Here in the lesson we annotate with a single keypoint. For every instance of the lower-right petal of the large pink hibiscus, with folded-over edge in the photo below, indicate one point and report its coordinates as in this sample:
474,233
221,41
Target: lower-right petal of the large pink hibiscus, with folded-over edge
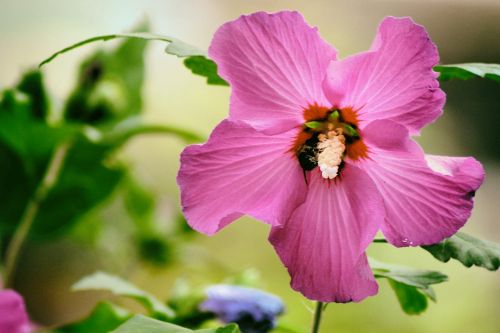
426,198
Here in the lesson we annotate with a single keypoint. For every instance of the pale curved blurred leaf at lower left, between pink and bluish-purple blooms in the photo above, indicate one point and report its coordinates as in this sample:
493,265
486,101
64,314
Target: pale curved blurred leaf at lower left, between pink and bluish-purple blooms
120,287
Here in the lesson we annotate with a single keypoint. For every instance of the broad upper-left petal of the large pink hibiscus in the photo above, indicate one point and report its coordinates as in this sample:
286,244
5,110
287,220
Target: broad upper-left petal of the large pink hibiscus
275,64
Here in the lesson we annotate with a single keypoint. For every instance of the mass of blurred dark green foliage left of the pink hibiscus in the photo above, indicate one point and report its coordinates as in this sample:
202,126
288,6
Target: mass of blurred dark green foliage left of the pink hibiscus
101,114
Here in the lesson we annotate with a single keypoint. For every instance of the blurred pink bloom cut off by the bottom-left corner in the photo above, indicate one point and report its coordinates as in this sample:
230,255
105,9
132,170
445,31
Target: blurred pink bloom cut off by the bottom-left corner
13,316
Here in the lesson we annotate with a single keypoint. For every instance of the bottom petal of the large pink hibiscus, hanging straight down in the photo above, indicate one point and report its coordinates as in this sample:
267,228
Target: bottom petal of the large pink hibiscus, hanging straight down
323,242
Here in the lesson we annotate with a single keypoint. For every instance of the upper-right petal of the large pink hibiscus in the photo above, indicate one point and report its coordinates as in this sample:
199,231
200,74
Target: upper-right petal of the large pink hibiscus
394,80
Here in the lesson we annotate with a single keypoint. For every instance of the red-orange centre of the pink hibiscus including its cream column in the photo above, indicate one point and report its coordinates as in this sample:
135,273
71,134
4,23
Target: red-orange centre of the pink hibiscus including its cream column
327,137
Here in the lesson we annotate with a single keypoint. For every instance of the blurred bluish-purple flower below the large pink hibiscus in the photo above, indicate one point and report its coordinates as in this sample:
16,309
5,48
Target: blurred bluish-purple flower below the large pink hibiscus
253,310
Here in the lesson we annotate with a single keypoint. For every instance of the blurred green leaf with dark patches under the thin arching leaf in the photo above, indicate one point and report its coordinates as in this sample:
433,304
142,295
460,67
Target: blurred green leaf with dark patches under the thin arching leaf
109,84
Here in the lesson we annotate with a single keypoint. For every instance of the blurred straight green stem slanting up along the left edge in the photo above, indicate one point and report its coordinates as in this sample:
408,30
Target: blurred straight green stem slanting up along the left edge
46,184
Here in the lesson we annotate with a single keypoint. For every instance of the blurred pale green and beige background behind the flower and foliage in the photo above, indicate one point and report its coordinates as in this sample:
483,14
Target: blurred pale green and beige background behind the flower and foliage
464,30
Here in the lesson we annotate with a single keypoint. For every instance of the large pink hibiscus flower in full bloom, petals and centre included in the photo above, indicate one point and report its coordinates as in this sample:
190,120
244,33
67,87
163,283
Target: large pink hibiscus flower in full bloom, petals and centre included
320,149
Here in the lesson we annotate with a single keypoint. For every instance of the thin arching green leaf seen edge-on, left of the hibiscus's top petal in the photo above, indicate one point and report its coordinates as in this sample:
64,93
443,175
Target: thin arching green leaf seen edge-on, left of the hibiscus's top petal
175,47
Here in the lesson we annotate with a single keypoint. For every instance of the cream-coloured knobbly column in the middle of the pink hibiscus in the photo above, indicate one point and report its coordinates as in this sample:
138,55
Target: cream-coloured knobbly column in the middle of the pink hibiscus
331,148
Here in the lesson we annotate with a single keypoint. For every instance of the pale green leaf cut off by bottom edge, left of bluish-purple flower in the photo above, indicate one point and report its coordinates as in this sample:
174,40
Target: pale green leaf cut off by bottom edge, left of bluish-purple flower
142,324
